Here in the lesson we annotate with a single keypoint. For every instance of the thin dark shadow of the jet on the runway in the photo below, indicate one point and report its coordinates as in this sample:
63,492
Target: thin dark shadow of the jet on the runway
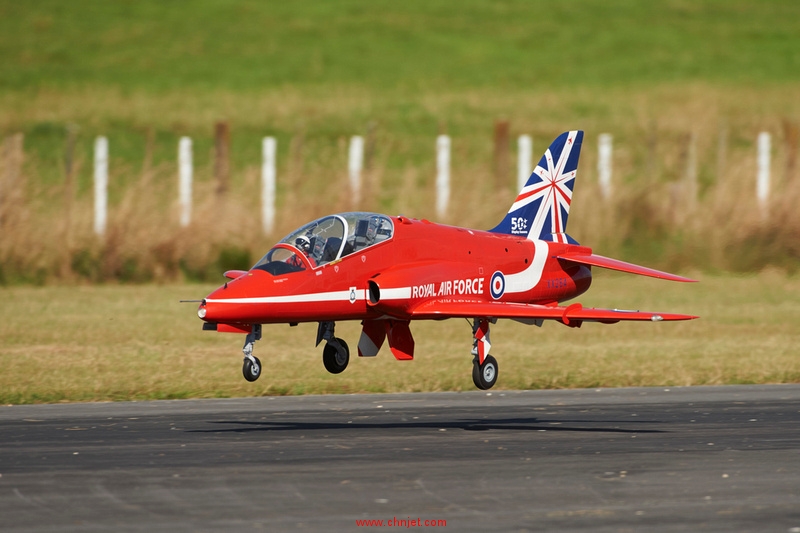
508,424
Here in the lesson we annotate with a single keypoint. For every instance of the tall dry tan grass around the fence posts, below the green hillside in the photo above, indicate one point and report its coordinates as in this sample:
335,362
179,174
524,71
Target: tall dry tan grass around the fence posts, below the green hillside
657,215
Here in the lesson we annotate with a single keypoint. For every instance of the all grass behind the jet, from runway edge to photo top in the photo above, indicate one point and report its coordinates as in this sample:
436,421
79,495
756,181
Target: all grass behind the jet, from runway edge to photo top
667,79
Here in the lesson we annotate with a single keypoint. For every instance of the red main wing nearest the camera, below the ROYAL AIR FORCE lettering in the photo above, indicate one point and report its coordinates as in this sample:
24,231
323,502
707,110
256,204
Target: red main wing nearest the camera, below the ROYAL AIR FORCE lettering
573,314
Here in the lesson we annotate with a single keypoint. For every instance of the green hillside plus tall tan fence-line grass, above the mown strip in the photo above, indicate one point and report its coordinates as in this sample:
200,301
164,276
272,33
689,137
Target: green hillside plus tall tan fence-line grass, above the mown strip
654,74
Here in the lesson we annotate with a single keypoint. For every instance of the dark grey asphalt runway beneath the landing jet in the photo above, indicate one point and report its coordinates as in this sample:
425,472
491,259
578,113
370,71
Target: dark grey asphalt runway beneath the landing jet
677,459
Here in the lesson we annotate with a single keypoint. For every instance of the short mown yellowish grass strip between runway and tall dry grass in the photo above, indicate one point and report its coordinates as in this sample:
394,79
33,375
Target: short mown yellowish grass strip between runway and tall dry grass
137,342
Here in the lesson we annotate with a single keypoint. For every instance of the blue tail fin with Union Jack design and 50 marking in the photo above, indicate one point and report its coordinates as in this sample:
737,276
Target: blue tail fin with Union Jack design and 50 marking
542,206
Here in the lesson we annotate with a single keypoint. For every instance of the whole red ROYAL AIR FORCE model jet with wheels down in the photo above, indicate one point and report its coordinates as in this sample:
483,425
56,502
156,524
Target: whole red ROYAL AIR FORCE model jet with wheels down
387,271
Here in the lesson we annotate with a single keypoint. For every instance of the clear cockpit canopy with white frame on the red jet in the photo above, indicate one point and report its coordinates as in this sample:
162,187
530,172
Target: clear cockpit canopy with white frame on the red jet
326,239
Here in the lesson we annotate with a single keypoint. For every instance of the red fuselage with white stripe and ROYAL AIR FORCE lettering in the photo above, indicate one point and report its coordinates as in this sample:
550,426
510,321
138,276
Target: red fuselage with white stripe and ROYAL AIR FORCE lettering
421,261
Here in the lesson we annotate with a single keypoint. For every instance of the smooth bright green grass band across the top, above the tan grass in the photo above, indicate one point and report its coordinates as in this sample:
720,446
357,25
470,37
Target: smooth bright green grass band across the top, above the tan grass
252,45
